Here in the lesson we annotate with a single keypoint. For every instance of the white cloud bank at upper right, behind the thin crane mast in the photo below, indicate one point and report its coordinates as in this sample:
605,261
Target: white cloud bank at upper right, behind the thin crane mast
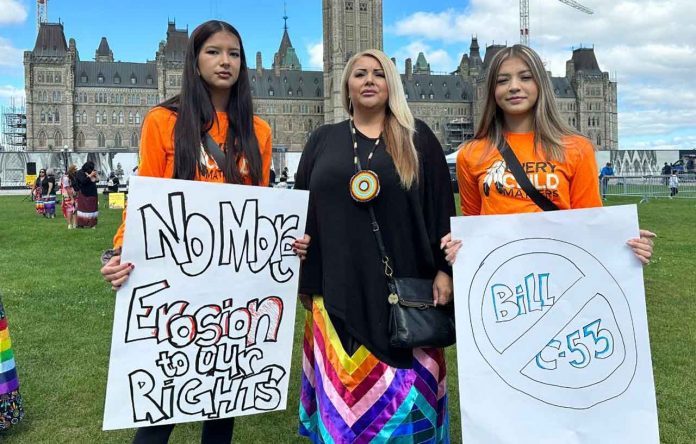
647,45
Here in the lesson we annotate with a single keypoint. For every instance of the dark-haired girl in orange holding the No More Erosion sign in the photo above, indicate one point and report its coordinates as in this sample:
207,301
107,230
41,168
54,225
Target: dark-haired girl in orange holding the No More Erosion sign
215,99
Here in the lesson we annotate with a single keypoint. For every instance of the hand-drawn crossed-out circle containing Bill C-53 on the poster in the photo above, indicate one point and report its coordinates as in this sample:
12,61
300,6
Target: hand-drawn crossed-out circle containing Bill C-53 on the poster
560,342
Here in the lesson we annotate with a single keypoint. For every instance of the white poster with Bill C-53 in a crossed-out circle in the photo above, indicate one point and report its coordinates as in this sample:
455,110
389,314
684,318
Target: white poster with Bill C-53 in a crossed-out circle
552,332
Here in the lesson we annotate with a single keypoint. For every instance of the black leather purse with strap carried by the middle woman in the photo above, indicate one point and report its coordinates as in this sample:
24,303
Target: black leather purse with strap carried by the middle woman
414,320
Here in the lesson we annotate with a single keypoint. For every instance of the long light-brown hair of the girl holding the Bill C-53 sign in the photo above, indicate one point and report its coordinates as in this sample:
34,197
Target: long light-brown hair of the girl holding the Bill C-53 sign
549,127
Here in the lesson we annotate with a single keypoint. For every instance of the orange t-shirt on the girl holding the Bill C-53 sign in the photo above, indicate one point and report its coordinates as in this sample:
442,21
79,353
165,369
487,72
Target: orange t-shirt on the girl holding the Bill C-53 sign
486,185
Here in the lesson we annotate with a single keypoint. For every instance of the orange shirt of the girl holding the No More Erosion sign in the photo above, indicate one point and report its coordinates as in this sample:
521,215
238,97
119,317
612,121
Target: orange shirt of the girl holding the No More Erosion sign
157,151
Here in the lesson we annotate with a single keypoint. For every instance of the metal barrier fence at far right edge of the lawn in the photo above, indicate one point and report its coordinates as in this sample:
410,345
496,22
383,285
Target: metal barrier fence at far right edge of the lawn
649,187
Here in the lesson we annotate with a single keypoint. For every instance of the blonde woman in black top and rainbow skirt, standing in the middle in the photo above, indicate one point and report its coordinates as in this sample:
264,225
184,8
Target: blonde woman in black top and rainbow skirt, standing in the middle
357,386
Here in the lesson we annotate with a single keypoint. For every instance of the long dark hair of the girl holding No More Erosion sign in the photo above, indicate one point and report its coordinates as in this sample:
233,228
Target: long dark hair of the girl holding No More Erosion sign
196,114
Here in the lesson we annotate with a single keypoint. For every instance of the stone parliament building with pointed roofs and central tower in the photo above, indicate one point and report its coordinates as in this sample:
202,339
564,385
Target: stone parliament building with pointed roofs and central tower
97,106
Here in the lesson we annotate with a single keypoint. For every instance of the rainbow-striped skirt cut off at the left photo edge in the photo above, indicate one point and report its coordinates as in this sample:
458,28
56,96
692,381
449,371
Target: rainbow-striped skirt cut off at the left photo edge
11,410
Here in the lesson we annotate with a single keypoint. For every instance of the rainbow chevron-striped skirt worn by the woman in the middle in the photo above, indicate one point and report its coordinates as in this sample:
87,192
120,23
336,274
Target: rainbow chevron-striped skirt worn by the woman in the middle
359,399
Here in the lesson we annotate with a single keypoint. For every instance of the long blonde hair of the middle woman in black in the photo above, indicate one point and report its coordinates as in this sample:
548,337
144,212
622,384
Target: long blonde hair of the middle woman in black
399,124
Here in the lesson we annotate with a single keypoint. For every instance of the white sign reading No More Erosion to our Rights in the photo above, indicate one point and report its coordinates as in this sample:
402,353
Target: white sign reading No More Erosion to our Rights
203,327
